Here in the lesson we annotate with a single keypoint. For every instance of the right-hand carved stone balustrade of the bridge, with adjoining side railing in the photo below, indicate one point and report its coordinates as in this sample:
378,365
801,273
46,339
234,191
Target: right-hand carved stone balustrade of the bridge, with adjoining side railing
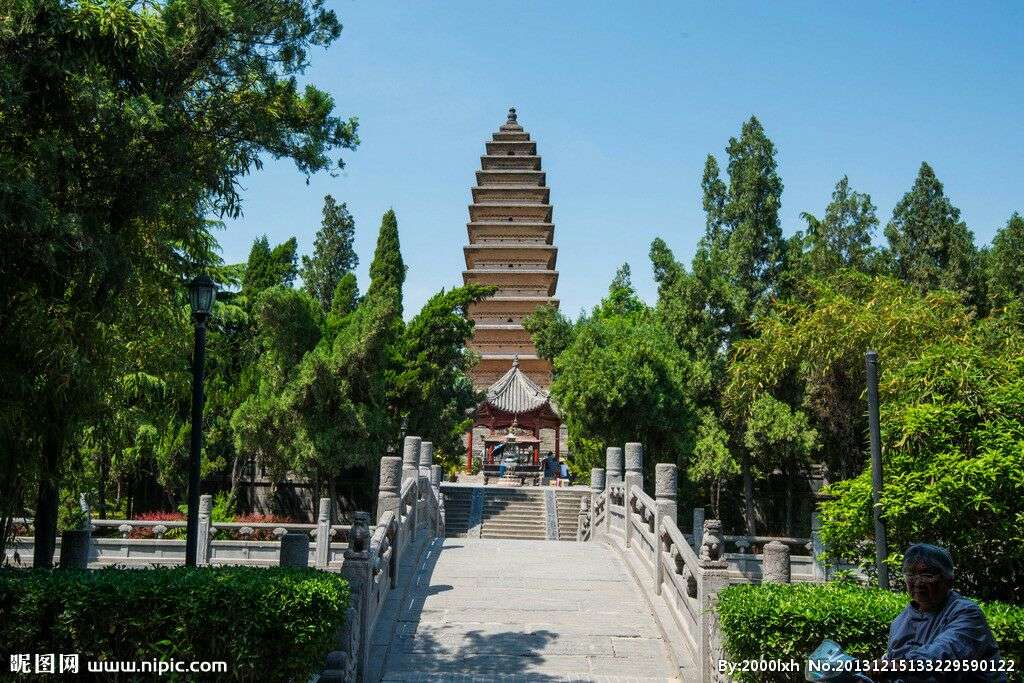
684,573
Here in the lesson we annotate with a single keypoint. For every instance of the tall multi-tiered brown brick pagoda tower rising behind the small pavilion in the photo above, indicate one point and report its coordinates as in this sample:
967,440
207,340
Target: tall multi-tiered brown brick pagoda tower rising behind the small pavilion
511,247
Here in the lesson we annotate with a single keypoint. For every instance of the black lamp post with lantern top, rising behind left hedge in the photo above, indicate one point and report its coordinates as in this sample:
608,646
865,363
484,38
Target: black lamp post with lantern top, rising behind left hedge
202,292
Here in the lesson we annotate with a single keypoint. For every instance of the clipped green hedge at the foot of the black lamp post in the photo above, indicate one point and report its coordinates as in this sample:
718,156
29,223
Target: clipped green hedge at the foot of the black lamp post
268,624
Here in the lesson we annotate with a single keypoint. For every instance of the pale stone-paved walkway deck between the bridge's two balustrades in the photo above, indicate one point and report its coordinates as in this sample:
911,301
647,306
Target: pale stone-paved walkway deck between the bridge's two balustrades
486,610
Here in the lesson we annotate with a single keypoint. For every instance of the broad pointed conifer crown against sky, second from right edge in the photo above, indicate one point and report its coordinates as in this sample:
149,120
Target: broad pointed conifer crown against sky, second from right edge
932,248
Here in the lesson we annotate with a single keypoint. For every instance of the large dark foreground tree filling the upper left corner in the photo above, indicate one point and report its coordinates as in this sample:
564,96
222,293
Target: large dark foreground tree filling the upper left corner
114,147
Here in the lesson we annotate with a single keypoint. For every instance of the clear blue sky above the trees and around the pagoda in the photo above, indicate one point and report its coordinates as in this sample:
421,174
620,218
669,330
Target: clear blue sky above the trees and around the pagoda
626,101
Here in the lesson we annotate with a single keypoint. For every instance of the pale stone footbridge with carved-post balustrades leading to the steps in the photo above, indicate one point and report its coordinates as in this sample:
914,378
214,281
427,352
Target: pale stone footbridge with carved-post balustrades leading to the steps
475,584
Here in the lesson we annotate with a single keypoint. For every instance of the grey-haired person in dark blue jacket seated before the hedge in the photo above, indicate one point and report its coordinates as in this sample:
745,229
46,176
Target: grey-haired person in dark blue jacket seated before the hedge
940,624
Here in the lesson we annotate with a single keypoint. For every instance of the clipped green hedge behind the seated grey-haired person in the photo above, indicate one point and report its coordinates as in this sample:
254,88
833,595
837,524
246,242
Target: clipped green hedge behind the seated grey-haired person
788,622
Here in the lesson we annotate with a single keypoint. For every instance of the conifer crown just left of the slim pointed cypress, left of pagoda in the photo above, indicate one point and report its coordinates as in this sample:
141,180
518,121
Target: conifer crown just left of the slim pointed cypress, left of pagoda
333,253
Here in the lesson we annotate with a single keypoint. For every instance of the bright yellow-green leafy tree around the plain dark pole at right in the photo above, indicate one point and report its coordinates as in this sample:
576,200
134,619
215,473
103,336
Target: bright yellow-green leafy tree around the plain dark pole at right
953,435
